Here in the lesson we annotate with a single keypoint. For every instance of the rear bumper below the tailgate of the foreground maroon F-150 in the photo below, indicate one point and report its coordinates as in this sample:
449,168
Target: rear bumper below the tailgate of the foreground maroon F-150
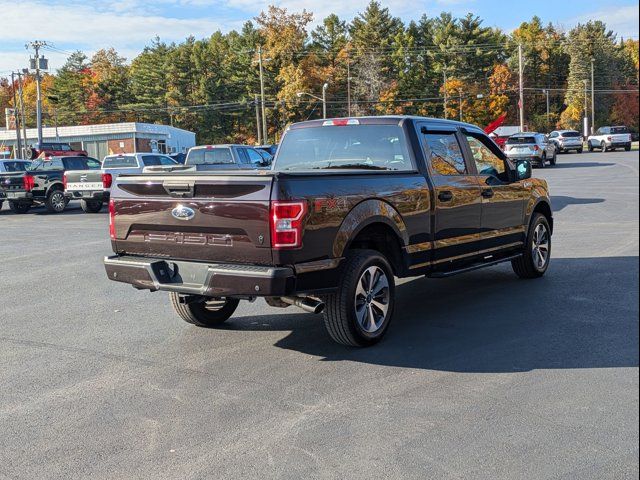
197,278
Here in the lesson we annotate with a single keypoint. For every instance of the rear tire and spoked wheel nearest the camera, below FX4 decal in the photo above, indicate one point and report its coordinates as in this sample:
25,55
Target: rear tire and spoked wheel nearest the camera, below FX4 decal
340,316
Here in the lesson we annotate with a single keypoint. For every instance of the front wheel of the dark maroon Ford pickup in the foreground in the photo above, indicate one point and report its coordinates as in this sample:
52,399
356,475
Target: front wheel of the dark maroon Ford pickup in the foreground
537,251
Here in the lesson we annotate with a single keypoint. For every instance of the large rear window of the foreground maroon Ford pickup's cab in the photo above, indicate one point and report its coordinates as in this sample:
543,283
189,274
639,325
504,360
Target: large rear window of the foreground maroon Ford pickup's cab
360,147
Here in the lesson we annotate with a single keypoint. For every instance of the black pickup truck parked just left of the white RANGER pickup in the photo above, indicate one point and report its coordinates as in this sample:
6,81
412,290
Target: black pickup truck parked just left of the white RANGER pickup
42,184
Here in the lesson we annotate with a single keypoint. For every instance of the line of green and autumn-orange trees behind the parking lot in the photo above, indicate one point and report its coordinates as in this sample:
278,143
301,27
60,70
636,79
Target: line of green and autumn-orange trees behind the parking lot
375,64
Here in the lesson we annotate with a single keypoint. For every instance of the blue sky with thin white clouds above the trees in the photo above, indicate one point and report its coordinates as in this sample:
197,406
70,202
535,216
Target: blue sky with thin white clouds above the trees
128,25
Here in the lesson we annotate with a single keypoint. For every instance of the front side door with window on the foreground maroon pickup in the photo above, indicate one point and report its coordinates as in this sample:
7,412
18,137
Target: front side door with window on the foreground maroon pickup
502,218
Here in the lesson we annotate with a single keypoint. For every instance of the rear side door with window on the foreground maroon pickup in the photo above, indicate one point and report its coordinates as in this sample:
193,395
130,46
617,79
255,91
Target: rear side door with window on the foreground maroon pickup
457,194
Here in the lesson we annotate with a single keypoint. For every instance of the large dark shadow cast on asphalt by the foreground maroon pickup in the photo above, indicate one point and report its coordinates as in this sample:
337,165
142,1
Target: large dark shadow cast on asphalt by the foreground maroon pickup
582,314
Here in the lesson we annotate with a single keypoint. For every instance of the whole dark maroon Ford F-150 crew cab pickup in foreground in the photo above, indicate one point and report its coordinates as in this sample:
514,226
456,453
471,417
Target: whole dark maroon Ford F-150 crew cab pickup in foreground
349,205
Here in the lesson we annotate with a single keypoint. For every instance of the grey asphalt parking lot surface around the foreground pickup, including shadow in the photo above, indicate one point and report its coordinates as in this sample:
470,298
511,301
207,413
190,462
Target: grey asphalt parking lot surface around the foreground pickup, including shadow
480,376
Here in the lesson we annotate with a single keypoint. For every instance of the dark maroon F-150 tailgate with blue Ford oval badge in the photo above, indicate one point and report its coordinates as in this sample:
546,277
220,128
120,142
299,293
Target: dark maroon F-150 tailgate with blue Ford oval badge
209,218
